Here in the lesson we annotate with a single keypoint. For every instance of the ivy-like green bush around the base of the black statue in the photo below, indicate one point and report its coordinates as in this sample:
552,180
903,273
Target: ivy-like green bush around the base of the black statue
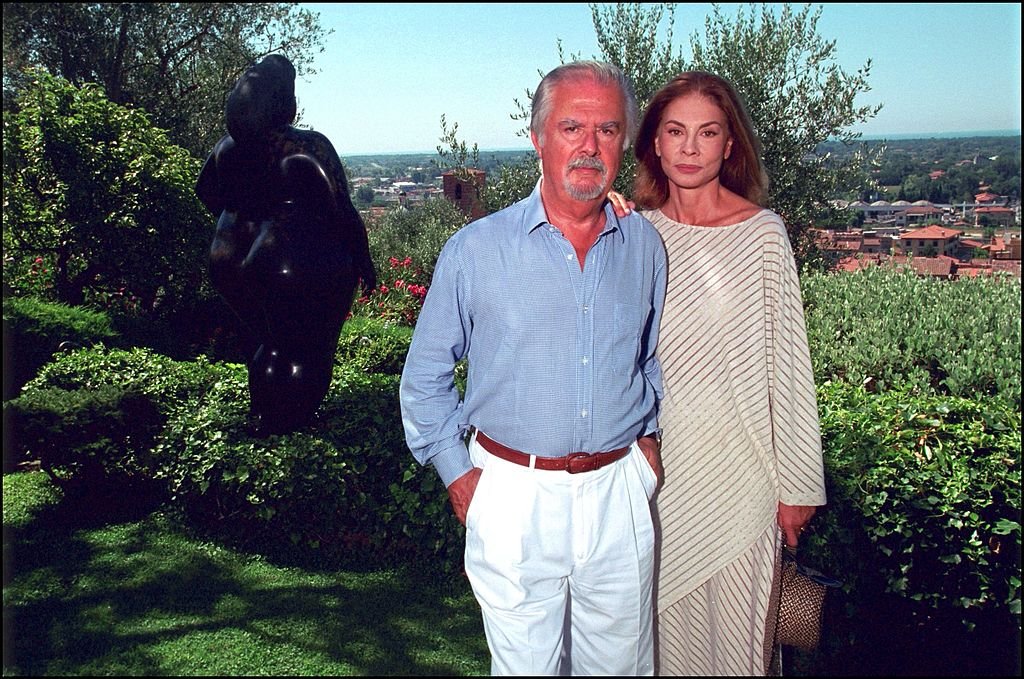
345,484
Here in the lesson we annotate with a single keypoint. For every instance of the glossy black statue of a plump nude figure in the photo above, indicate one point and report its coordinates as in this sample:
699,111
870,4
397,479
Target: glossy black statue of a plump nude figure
290,247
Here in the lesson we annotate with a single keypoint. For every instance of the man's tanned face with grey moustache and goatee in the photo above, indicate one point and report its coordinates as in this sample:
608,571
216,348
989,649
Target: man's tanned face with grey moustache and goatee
581,147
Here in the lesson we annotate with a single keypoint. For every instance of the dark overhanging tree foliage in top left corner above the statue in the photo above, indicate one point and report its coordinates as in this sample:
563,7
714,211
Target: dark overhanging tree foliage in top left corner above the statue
176,60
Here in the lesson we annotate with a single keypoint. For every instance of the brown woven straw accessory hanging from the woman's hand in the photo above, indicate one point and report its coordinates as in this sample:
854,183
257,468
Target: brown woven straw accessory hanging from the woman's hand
801,603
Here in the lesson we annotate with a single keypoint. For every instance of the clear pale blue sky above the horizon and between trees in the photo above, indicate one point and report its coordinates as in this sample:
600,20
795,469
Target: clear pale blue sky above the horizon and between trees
390,72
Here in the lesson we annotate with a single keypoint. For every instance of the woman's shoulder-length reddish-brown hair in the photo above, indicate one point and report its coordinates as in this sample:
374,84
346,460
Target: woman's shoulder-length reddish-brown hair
743,173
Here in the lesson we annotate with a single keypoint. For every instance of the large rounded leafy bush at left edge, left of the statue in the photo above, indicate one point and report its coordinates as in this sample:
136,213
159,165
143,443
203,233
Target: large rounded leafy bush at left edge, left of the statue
99,201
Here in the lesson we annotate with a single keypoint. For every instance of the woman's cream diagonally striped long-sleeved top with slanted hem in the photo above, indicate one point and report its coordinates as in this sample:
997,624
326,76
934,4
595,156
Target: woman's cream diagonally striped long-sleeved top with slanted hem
740,417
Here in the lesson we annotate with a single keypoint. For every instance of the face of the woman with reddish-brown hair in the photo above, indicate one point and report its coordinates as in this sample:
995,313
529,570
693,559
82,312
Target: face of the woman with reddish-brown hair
693,142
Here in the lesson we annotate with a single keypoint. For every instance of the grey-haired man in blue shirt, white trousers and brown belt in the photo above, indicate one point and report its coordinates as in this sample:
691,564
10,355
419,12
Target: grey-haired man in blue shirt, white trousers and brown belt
557,304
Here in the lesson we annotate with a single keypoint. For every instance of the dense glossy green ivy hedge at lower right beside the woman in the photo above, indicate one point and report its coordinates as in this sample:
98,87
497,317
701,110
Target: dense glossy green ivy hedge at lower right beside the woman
925,498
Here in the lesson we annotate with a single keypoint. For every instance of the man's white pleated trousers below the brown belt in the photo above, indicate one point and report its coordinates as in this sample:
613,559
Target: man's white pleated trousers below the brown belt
549,553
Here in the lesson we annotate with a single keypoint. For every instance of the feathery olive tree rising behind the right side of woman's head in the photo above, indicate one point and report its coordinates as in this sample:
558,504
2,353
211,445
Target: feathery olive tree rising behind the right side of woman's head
798,99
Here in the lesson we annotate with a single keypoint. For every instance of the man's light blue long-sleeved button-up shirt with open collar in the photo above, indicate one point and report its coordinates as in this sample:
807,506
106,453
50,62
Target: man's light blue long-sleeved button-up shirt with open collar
560,360
